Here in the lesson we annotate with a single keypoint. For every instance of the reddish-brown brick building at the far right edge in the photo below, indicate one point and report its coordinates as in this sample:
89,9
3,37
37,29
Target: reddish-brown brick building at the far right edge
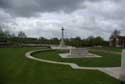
117,41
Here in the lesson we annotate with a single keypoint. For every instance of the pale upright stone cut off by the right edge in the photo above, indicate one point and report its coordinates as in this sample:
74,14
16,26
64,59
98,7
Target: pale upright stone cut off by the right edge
122,74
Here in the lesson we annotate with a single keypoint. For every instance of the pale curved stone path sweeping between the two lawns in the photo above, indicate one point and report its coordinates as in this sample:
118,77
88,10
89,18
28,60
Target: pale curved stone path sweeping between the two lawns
108,70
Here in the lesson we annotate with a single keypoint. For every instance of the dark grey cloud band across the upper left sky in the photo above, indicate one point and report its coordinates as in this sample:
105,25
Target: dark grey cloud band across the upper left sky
29,7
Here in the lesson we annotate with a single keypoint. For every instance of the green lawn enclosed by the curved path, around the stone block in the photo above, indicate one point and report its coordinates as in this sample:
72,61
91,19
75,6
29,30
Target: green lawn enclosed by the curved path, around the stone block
108,59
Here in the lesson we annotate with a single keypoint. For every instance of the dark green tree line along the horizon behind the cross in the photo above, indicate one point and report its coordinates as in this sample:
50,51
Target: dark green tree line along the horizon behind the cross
10,39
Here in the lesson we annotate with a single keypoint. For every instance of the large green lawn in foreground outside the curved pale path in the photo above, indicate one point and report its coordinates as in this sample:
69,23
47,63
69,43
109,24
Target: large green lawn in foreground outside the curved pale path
15,68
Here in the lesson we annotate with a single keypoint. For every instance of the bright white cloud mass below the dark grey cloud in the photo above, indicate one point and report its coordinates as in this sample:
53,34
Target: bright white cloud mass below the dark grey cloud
92,18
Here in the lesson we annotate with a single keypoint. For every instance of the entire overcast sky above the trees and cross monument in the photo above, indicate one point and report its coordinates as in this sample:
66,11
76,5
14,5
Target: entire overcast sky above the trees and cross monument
79,17
